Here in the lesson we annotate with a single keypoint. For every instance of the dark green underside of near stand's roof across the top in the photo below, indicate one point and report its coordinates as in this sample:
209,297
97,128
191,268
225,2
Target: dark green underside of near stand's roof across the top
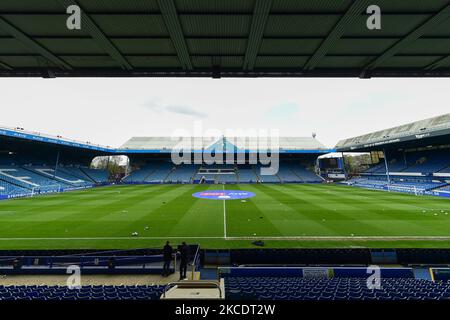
221,38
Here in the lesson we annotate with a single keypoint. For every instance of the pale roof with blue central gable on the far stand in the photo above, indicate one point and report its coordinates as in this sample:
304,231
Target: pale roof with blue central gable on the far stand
224,144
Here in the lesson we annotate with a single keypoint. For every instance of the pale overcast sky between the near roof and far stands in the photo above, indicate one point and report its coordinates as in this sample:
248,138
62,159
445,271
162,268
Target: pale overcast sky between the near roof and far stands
110,111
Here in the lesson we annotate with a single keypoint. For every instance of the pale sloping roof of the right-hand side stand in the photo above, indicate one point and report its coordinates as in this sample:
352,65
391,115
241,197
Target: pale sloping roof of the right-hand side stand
418,132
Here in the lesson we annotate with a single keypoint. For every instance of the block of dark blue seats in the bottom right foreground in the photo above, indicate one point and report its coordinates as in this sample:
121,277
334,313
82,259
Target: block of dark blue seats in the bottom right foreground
294,288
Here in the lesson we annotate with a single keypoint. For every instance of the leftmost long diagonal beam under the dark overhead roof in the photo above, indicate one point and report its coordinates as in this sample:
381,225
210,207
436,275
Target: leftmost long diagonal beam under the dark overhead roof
32,45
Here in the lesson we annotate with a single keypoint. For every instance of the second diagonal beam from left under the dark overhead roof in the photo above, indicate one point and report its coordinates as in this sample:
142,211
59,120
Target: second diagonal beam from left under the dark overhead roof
97,34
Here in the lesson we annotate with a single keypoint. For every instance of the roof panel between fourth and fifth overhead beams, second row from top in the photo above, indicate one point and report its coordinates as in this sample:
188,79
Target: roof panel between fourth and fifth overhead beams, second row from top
300,25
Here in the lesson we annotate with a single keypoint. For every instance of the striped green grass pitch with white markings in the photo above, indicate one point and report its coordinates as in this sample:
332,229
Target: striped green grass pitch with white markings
282,215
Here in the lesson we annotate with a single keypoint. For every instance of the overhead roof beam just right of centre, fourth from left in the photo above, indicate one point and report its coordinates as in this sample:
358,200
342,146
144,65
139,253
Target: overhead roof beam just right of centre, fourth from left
259,19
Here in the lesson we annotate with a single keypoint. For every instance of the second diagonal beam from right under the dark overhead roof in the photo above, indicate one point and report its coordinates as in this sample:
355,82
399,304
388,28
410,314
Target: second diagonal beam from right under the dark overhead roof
353,12
